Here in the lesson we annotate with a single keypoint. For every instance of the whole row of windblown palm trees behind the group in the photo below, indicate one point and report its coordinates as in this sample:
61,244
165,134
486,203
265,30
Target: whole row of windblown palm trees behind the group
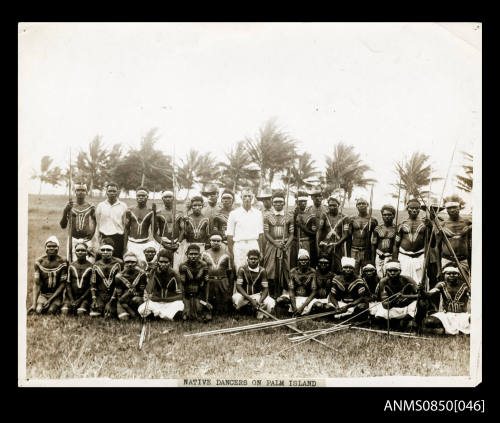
253,161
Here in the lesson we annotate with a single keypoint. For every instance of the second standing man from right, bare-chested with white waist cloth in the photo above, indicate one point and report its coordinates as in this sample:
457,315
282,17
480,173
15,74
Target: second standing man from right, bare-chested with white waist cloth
409,245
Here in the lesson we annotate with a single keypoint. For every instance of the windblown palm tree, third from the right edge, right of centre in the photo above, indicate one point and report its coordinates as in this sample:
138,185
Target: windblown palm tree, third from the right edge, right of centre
345,170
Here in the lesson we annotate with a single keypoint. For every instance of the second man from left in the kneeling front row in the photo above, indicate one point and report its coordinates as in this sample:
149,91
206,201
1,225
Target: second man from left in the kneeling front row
78,283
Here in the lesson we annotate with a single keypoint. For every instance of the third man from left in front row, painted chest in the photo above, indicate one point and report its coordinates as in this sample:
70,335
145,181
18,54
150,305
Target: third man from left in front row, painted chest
102,282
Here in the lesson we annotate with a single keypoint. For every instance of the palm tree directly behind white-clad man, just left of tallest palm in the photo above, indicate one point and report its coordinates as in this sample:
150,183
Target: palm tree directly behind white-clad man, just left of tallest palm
237,170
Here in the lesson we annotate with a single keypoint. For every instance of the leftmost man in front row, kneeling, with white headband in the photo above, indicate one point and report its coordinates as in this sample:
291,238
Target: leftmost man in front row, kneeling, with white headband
51,271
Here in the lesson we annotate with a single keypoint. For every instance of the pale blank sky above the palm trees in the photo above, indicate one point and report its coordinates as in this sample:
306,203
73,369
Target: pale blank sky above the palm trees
388,89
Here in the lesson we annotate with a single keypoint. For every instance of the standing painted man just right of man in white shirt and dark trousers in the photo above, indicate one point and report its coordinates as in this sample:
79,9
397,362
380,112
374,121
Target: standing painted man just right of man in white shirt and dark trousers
138,221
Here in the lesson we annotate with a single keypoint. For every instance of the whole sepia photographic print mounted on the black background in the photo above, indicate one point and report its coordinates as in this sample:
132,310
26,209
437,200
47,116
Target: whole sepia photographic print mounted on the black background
249,204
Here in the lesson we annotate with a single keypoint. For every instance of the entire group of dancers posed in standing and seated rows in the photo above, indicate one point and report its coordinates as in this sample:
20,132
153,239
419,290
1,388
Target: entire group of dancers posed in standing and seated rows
214,258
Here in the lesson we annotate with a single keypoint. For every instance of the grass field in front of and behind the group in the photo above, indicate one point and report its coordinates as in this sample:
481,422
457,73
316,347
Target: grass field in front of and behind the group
70,347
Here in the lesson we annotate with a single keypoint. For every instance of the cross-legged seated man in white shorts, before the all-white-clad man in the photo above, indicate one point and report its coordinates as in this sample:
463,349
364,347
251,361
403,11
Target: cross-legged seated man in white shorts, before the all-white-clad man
252,286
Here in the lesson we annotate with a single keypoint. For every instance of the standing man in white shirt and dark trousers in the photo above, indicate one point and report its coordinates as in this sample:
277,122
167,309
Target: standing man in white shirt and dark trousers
110,216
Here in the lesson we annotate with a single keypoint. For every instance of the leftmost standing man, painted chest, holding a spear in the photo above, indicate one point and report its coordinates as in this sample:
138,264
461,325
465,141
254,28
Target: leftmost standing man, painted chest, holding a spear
83,220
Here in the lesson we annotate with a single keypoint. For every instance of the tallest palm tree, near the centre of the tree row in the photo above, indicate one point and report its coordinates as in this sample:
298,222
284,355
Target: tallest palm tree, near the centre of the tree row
272,150
